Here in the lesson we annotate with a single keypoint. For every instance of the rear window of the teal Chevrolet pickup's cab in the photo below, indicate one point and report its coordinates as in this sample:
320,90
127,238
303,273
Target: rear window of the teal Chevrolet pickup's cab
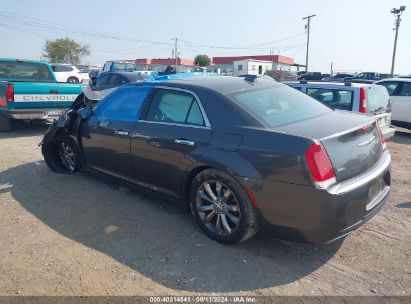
25,71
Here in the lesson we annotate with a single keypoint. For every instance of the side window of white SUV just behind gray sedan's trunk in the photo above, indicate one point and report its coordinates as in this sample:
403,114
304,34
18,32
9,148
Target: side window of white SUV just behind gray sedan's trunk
334,98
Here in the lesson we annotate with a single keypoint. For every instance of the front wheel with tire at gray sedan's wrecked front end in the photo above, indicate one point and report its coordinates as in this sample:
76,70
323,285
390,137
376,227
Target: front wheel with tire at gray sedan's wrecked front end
55,151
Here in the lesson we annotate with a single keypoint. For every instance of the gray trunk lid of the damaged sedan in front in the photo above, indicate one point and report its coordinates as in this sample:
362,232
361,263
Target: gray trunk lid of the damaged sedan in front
351,140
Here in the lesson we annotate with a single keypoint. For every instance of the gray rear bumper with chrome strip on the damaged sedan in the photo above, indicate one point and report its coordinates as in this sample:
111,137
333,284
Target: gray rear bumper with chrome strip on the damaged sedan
304,213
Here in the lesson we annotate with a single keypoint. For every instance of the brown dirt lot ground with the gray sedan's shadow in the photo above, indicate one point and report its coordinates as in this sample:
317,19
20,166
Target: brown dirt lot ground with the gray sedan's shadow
82,235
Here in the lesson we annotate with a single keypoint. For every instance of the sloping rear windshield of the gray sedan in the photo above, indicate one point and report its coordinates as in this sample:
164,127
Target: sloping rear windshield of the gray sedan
278,106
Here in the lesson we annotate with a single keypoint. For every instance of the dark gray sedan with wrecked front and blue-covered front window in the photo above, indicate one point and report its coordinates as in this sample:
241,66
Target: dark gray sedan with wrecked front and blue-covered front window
243,153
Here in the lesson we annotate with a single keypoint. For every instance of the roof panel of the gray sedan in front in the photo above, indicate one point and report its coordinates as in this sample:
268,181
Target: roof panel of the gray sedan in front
220,84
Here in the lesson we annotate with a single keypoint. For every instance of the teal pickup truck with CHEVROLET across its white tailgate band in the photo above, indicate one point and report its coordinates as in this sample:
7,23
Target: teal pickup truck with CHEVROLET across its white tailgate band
29,90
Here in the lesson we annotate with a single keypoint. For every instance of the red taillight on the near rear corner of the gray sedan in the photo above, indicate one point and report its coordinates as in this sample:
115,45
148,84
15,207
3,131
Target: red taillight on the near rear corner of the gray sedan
319,164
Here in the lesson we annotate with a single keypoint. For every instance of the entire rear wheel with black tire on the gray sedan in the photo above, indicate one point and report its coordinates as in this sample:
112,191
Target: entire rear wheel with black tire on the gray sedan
245,225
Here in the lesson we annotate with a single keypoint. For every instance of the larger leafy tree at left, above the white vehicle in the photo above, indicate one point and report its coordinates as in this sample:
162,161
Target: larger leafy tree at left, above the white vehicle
65,50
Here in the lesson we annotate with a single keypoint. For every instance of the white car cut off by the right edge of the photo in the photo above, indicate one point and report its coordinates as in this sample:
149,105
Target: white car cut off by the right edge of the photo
399,90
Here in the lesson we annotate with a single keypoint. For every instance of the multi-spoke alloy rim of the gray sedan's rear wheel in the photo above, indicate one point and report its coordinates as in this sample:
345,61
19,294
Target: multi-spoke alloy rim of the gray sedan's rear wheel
218,207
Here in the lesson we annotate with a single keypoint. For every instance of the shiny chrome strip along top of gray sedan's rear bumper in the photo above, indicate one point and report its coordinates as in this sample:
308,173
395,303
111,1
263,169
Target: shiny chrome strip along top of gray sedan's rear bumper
362,179
